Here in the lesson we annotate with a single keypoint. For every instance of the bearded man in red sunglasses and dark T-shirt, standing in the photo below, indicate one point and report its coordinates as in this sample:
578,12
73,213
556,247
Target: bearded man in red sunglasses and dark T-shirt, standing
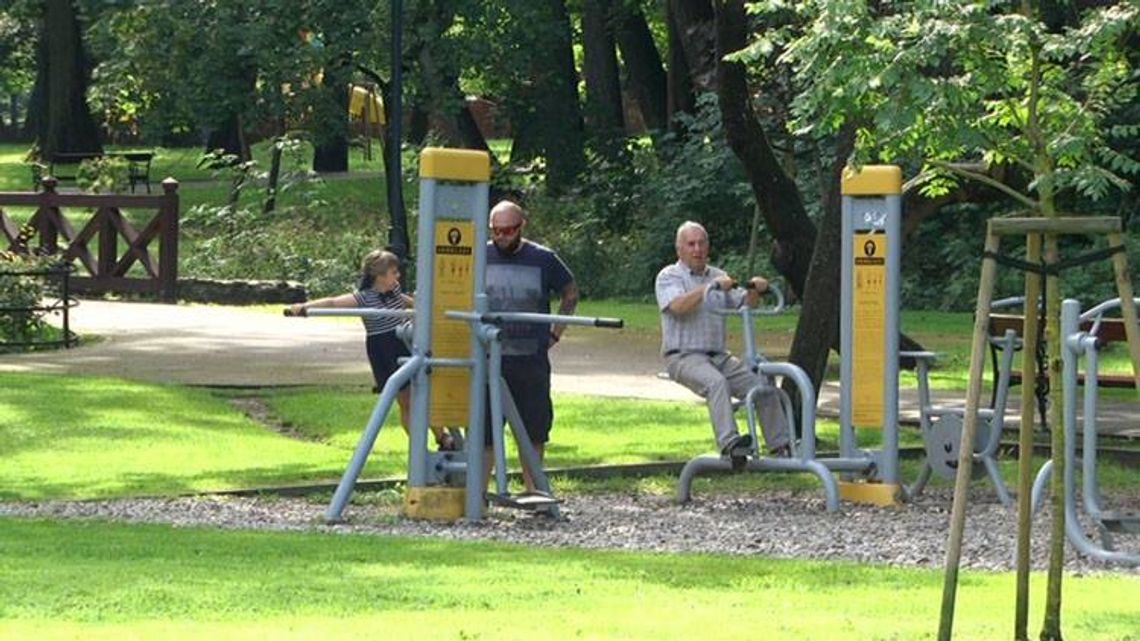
523,277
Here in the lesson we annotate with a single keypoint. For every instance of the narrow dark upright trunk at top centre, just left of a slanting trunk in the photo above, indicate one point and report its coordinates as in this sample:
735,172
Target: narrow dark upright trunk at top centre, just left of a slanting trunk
605,112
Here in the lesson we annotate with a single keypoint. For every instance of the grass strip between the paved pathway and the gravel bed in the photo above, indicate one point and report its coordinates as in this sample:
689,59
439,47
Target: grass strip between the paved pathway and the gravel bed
121,439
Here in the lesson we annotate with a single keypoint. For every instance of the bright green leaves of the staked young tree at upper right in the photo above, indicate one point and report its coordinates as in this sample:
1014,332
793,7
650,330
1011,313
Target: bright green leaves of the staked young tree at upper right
978,84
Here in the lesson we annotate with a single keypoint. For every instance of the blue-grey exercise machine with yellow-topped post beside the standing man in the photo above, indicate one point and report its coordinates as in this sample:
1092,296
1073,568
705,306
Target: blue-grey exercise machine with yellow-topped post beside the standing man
454,363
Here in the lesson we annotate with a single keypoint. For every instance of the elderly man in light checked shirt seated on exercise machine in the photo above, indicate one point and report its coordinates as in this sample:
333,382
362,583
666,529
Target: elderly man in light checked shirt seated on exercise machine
694,344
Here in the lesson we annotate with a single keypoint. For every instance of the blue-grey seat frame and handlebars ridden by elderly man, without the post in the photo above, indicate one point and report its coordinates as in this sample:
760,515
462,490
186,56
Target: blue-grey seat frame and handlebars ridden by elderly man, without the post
803,457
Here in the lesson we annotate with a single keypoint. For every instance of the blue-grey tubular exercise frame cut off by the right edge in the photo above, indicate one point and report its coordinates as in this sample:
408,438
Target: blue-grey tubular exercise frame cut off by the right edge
1084,344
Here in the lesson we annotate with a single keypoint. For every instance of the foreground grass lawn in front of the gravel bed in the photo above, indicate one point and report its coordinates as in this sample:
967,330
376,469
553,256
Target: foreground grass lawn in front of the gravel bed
89,580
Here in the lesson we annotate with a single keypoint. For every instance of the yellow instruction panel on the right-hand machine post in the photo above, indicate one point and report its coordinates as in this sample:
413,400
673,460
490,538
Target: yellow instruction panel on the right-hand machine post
870,319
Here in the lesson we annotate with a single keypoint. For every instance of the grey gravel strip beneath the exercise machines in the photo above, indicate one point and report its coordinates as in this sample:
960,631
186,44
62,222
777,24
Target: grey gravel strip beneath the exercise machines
788,525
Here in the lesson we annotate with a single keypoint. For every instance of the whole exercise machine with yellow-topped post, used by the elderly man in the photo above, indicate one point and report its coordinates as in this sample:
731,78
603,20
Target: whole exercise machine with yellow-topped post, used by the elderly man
869,346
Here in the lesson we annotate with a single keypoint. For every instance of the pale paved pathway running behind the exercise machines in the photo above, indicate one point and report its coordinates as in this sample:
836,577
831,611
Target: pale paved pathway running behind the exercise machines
234,346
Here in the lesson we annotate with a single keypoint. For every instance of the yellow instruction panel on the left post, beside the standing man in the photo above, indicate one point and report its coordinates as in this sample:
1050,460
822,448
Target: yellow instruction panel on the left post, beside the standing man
454,270
